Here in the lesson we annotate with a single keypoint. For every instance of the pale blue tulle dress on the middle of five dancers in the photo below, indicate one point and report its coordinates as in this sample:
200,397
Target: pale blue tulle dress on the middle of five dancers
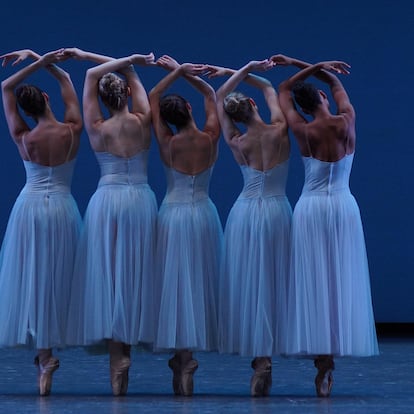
188,255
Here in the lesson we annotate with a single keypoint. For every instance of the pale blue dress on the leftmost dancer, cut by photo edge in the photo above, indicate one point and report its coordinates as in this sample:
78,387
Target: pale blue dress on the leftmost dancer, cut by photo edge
37,257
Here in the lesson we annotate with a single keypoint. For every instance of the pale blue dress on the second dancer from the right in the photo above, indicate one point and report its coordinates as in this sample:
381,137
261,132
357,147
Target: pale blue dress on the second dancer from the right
254,271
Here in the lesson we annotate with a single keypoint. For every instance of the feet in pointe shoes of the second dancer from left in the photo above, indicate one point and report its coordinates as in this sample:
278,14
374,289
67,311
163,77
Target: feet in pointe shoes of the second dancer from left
119,361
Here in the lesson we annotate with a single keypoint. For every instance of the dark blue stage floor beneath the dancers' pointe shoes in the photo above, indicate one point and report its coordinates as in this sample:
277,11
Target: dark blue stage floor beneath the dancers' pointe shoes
382,384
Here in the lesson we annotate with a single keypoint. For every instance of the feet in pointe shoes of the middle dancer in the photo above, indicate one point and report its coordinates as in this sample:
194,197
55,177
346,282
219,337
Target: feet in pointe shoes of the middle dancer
183,366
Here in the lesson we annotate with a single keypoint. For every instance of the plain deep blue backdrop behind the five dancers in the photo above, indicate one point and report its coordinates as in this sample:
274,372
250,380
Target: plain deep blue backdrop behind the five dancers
376,39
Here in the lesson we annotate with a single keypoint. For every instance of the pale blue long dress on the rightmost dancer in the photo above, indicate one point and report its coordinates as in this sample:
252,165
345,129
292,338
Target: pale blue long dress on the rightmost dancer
330,306
